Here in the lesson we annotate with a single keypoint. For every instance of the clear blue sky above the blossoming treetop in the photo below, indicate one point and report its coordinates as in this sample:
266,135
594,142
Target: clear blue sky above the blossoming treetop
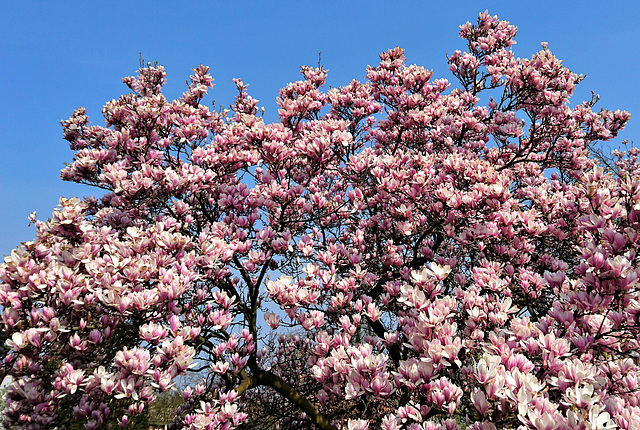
58,55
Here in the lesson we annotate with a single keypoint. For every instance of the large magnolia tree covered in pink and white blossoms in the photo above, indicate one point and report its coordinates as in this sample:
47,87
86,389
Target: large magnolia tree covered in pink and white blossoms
393,254
